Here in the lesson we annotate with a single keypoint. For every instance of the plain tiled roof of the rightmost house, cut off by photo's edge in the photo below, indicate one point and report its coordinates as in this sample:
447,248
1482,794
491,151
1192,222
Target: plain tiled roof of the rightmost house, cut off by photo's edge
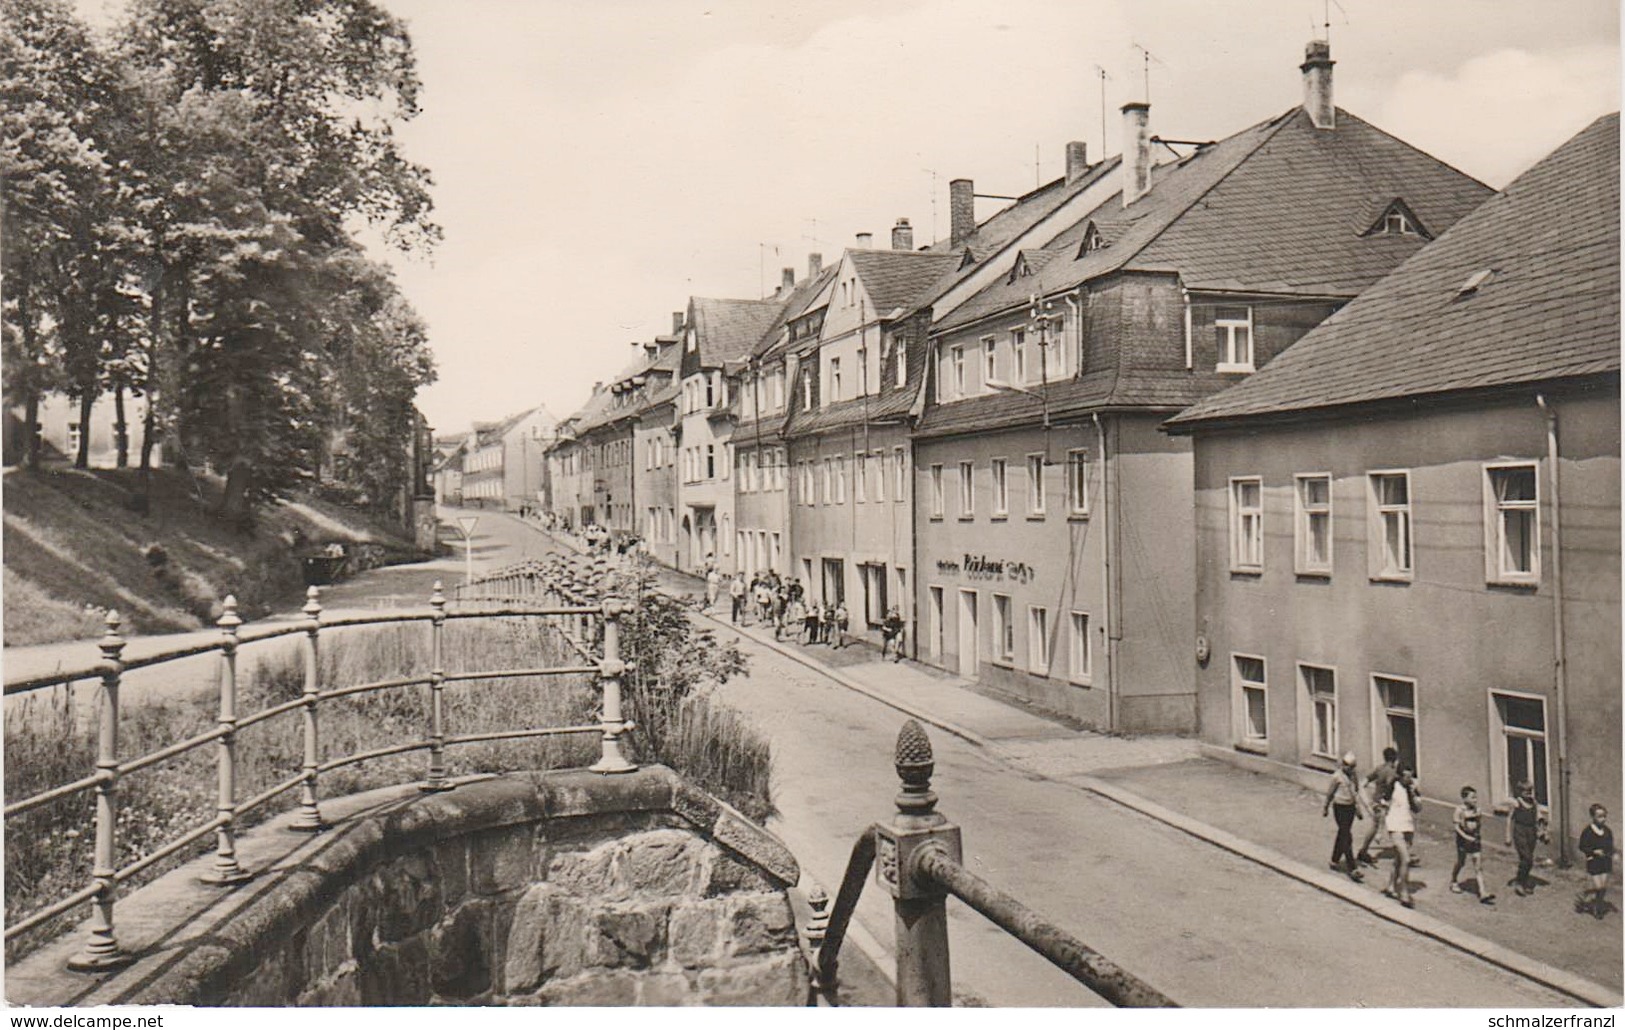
1548,311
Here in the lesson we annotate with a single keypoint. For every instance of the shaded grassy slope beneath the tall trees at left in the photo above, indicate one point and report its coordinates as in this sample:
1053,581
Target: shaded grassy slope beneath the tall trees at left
79,545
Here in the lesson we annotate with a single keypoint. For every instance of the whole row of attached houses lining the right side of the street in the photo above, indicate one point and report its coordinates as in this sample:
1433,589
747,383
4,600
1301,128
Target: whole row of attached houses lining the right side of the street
1265,439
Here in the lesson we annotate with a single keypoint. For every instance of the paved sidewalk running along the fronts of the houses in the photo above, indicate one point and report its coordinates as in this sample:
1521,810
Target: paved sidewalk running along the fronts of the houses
1262,818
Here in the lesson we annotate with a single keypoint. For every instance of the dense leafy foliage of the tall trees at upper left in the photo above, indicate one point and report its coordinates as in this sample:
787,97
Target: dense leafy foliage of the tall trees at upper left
183,217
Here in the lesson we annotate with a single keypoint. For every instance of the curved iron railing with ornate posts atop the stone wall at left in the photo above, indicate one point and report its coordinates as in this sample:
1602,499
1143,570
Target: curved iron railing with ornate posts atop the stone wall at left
550,600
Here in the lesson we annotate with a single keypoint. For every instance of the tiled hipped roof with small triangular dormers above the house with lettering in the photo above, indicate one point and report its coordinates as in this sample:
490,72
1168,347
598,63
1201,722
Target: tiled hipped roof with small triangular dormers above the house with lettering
1280,207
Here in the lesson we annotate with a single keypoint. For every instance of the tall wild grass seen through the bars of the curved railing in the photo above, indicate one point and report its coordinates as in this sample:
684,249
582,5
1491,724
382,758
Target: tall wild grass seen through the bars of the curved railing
48,852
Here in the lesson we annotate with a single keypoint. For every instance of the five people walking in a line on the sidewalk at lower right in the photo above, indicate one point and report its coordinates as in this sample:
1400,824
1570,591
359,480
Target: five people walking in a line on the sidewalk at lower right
1390,797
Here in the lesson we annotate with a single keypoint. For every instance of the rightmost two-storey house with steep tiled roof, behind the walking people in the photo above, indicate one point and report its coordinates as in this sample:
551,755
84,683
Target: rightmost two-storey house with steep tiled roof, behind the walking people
1408,527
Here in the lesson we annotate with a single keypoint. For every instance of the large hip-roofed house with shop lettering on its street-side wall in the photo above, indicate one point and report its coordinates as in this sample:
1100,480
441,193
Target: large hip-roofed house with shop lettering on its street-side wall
1054,519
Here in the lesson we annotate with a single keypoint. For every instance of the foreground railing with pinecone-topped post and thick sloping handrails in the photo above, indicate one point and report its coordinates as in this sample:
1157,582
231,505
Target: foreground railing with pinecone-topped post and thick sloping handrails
917,859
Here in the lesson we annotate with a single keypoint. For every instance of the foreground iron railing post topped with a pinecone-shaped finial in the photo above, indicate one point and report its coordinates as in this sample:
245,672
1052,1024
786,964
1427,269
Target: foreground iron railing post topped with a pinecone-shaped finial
919,902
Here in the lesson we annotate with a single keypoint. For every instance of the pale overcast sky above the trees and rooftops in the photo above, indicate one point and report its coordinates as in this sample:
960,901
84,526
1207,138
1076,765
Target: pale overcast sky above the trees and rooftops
600,162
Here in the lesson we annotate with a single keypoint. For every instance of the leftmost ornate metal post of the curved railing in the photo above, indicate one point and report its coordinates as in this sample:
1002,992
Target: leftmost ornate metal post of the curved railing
102,948
